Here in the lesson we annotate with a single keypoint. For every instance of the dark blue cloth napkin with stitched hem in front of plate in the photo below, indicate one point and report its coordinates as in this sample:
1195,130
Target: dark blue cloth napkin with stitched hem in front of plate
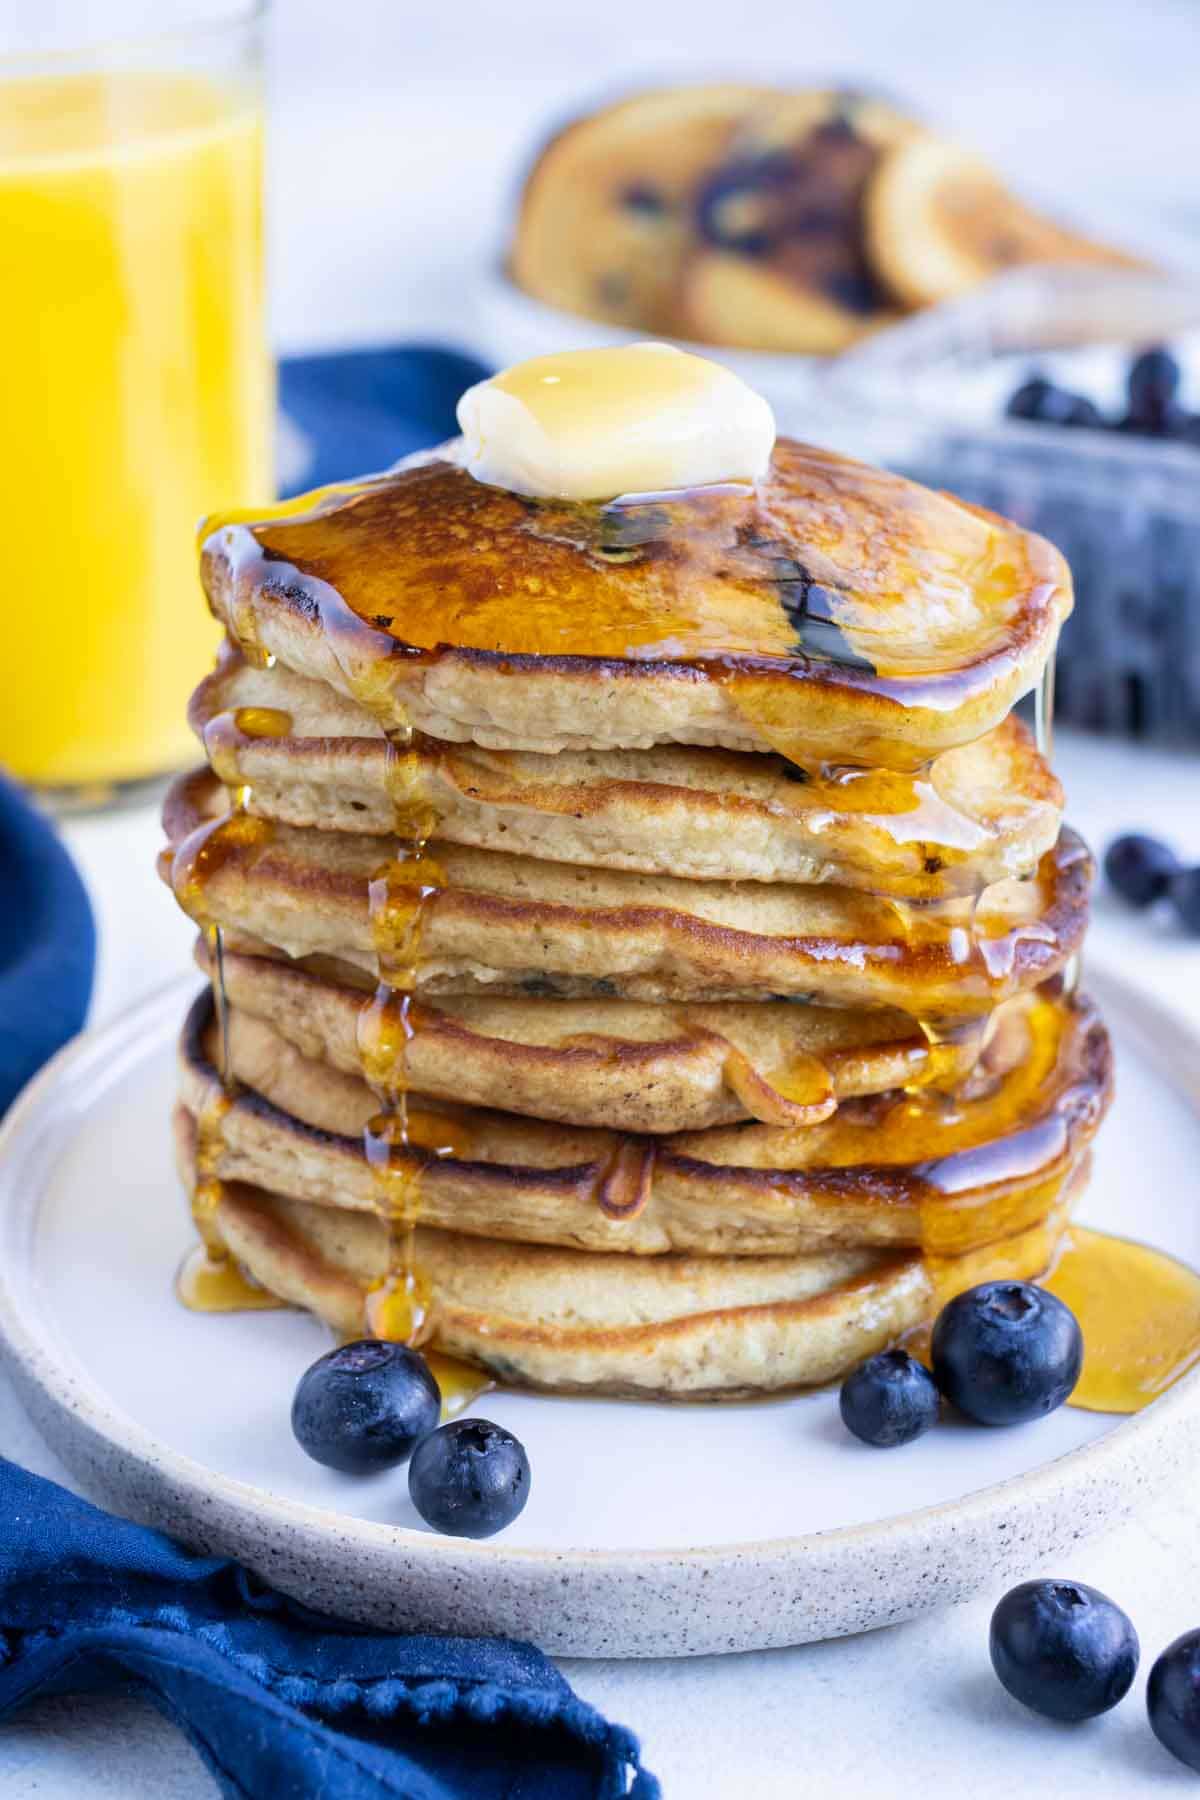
280,1702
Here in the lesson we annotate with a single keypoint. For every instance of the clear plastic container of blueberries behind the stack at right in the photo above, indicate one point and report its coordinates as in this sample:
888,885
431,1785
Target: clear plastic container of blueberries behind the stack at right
929,400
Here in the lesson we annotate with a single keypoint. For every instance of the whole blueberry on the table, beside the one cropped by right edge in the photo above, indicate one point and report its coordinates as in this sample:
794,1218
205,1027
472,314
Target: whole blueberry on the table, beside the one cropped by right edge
1064,1650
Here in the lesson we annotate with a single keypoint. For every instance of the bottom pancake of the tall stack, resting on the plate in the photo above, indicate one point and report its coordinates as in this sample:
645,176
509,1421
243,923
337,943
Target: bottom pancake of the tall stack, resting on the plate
670,1327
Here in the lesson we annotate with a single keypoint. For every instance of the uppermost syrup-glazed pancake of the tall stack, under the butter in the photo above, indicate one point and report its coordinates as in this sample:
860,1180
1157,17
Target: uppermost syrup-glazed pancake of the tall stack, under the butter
832,613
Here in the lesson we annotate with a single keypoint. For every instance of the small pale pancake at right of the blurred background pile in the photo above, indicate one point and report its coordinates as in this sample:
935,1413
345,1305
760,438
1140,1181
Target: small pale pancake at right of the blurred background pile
940,222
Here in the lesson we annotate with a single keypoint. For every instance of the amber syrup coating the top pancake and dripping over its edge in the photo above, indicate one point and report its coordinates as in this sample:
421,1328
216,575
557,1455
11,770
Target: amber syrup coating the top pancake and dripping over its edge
706,577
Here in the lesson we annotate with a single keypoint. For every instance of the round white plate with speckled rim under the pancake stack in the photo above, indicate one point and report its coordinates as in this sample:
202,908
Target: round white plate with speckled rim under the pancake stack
650,1529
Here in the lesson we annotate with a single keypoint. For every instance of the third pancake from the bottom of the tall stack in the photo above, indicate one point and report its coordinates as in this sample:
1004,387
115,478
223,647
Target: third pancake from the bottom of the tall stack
604,1063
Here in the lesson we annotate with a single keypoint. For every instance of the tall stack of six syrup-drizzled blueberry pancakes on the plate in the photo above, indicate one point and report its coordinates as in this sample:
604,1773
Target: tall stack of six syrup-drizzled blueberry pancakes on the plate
679,876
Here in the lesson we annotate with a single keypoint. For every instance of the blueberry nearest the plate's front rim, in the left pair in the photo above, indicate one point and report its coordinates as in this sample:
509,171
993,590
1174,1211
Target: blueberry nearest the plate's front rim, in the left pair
470,1479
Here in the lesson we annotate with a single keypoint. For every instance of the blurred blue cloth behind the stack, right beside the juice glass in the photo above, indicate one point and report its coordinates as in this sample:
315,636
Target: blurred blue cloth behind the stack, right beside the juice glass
357,411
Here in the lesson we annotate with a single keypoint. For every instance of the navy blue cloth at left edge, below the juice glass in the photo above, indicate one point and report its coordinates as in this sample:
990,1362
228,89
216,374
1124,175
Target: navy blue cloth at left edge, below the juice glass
48,944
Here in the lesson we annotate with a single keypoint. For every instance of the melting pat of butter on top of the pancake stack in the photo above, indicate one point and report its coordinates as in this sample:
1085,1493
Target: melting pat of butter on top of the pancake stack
595,424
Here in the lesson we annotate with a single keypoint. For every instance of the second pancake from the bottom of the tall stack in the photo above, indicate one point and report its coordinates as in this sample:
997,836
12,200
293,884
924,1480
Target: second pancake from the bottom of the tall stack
690,1205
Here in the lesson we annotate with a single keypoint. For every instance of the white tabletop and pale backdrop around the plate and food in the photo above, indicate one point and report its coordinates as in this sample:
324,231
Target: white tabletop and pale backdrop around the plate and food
370,244
